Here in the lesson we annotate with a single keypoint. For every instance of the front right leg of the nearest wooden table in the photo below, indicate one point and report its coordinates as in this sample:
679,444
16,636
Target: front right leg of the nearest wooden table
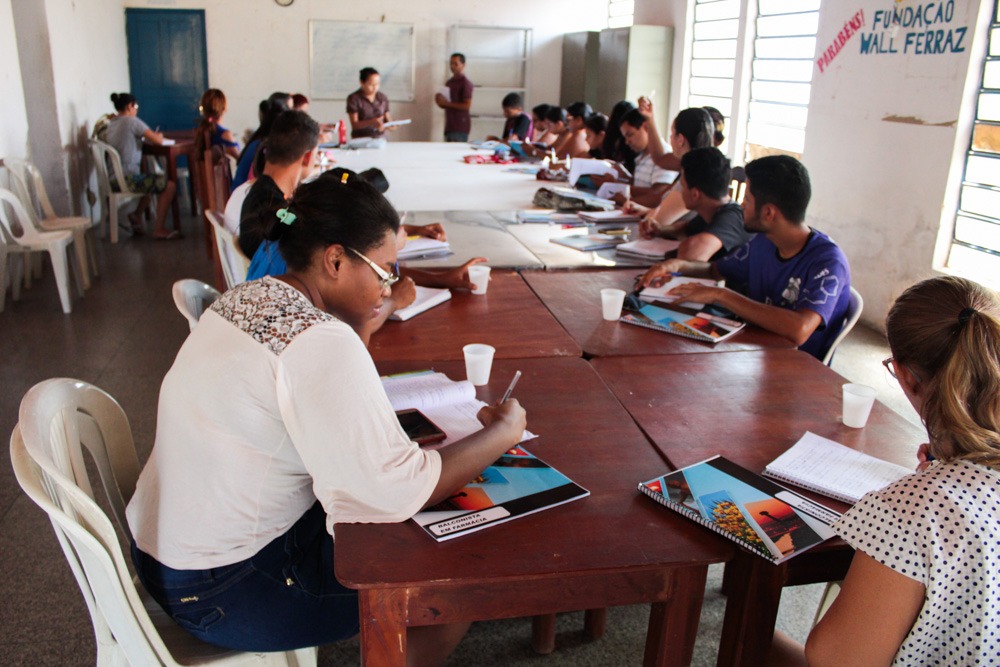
673,624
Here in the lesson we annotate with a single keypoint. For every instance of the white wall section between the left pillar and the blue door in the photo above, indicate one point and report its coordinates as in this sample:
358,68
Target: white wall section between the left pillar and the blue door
89,62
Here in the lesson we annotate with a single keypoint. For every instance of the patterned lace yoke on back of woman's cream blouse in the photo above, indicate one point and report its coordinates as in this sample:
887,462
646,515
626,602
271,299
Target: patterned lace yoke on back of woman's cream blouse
270,311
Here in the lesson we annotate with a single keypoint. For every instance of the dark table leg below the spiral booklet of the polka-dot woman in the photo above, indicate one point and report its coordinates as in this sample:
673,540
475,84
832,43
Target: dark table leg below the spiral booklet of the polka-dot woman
751,610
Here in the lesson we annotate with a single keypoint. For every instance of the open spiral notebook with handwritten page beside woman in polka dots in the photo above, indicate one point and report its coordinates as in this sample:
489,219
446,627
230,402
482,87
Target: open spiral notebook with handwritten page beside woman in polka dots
830,468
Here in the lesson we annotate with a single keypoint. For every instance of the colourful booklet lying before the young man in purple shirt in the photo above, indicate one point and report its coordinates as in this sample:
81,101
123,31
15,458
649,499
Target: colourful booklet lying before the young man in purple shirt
709,324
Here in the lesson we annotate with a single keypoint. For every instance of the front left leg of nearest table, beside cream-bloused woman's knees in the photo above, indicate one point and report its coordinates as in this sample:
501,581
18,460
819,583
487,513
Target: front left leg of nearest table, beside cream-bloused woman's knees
383,627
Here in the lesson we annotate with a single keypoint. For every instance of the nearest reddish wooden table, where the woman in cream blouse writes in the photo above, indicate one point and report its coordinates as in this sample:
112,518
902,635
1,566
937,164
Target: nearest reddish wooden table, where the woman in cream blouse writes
615,547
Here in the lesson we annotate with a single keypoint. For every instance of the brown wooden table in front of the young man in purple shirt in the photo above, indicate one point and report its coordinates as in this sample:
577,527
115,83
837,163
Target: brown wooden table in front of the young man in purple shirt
574,298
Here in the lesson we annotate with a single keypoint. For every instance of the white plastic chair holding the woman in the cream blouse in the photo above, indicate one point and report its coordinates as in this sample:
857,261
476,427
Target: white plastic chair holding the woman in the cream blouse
59,418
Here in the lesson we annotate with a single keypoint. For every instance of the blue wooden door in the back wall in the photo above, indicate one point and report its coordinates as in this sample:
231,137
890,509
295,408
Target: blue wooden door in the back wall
168,67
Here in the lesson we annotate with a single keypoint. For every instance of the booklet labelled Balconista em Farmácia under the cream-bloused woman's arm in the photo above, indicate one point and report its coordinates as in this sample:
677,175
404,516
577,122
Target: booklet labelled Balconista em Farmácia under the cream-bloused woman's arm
517,484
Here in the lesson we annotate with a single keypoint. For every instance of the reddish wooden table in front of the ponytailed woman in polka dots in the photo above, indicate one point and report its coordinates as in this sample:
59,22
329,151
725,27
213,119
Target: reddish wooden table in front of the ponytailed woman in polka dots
750,407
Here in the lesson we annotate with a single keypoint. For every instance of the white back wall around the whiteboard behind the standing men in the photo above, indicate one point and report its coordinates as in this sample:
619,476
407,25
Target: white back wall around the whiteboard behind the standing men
256,48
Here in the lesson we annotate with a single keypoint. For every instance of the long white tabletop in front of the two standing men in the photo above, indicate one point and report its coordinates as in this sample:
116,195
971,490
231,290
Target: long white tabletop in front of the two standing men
432,176
